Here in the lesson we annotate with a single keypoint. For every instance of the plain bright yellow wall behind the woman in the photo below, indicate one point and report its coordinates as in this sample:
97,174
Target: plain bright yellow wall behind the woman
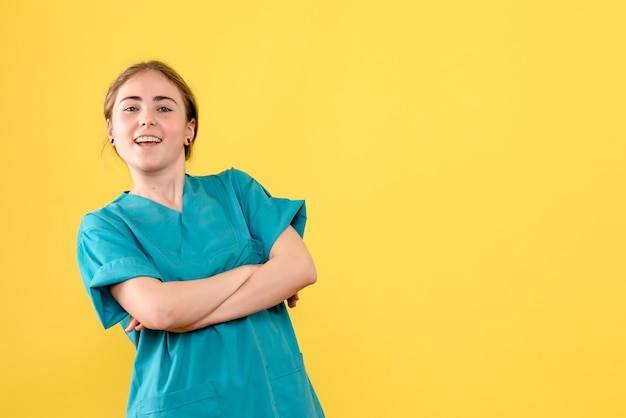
463,163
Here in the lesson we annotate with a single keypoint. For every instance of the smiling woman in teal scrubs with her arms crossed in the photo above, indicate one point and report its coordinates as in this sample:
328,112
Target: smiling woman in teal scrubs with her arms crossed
195,268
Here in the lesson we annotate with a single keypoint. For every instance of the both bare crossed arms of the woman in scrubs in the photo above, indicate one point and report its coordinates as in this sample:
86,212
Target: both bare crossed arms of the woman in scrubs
184,306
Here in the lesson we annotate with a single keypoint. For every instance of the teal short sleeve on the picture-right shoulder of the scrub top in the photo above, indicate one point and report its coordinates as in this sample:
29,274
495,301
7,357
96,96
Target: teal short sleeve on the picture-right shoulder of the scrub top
267,216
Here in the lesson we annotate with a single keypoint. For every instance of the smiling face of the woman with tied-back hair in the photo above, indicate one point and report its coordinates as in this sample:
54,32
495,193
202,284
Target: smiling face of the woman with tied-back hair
149,125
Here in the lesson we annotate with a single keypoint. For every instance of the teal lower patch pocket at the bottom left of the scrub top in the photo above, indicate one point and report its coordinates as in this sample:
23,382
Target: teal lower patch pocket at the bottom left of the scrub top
199,401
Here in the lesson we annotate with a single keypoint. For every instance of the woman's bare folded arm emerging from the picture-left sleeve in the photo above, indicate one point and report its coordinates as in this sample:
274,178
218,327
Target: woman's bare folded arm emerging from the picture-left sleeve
168,305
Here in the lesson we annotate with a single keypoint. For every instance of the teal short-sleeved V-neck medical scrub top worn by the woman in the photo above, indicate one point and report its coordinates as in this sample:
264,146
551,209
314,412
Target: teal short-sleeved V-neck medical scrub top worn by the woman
250,367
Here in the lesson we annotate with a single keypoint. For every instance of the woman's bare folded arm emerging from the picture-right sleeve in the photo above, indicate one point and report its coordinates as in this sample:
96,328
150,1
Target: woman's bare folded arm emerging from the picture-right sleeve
289,269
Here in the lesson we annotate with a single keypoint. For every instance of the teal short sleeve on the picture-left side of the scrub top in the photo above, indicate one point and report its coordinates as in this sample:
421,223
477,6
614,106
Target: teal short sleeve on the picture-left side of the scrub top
106,255
